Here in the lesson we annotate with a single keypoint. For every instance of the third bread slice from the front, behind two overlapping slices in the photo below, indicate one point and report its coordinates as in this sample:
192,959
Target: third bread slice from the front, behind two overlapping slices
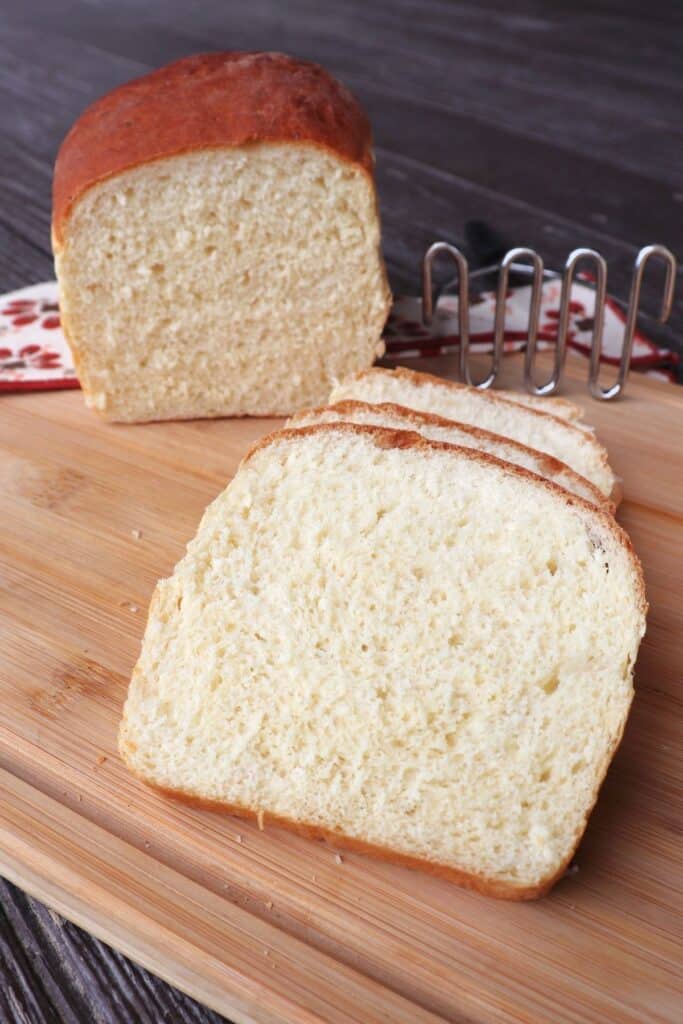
577,447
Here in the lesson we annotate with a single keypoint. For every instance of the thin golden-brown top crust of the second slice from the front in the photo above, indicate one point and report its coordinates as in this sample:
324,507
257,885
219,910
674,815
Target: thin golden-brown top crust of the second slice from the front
549,464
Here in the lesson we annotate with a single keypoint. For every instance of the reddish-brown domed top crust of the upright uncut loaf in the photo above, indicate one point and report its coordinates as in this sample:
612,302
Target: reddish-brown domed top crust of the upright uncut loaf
206,102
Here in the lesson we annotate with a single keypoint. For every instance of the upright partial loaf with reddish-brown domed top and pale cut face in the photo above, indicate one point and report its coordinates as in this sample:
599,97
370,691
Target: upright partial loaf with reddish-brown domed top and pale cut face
218,241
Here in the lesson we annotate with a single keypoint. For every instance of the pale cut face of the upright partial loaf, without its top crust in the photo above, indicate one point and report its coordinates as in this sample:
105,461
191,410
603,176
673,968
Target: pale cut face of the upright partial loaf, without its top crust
226,282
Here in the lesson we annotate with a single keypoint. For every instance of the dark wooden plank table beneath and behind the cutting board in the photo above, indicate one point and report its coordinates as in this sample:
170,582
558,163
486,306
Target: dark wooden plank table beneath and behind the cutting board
560,123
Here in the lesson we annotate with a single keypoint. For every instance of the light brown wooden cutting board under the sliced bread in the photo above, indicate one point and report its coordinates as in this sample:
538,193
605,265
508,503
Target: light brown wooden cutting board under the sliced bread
265,926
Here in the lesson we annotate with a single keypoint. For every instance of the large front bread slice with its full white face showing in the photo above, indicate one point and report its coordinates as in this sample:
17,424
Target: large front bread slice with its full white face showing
413,649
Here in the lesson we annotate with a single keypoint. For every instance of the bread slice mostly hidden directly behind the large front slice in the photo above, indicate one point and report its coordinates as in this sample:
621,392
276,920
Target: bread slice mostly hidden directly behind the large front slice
438,429
